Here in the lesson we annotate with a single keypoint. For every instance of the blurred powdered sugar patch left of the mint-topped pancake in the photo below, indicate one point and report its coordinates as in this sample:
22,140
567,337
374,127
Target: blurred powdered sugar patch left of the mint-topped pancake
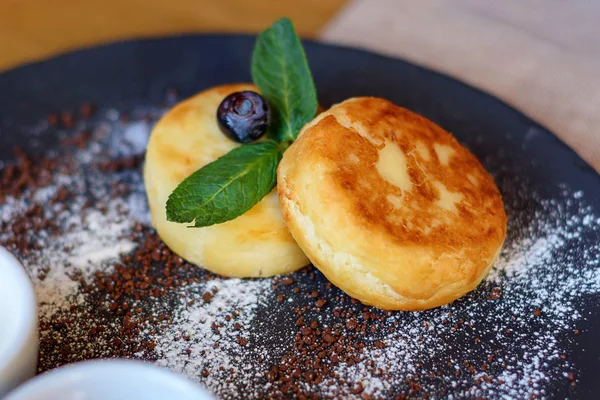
90,239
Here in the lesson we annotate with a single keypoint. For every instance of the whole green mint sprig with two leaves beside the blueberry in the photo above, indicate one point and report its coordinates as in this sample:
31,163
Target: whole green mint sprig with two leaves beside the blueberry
231,185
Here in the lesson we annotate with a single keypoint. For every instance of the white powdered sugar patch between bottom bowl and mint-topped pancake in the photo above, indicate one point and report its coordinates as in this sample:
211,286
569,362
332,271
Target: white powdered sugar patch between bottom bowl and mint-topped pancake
197,353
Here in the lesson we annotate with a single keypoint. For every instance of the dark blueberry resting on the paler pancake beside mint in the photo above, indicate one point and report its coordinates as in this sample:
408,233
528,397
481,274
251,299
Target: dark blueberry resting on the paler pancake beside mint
244,116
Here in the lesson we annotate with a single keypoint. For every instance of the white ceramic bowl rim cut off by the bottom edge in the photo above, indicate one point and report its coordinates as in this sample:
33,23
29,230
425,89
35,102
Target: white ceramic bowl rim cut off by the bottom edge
110,380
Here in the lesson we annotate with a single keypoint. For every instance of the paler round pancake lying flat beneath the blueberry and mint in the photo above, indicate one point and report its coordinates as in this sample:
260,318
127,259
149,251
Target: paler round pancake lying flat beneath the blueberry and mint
255,244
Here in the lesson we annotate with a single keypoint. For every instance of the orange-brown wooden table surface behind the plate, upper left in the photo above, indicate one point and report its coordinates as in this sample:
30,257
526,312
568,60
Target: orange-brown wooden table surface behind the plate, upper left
35,29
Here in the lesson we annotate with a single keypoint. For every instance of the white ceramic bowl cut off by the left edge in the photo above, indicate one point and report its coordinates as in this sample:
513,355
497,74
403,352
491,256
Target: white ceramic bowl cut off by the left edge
18,324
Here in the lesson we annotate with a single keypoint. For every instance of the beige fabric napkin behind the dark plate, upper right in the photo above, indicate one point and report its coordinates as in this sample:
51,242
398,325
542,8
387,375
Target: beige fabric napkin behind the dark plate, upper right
541,56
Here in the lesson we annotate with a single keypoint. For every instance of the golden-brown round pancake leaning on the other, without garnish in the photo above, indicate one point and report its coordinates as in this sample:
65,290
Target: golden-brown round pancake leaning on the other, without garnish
389,206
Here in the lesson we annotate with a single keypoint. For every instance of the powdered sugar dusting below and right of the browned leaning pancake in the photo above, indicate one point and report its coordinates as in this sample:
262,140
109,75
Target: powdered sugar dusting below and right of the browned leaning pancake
541,268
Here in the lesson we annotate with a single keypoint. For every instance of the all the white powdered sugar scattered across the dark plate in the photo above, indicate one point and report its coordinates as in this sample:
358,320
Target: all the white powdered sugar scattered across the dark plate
550,261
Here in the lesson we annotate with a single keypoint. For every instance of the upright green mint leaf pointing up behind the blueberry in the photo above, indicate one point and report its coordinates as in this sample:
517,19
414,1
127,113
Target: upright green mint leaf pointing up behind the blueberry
281,73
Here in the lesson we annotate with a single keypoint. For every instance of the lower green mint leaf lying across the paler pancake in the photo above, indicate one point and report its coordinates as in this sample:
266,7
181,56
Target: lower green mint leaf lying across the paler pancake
227,187
